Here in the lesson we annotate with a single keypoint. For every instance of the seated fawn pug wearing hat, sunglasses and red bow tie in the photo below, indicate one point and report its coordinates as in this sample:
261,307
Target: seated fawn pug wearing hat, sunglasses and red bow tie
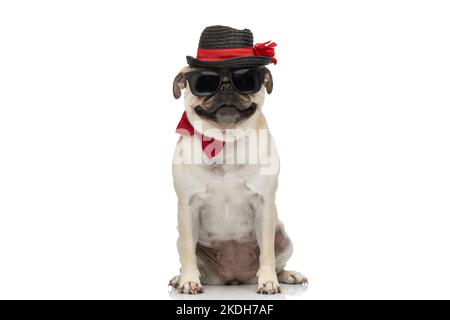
229,232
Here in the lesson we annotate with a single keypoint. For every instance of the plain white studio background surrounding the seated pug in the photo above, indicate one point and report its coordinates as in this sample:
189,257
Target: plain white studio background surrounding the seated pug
360,112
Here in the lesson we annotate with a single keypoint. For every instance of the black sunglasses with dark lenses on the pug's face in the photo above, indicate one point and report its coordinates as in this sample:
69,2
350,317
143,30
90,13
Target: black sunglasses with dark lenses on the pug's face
206,82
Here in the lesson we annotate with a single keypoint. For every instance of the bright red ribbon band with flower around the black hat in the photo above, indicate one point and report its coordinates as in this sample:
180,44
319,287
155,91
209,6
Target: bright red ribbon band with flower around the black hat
265,49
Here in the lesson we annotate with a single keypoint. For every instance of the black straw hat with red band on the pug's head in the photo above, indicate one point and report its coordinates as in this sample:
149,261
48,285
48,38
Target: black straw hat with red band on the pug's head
221,46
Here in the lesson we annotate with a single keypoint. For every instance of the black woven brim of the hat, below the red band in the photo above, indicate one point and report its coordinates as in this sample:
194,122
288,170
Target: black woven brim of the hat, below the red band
241,62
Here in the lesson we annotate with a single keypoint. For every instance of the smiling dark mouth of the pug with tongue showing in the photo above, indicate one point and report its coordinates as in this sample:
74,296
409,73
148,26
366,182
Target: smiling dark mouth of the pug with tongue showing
226,113
